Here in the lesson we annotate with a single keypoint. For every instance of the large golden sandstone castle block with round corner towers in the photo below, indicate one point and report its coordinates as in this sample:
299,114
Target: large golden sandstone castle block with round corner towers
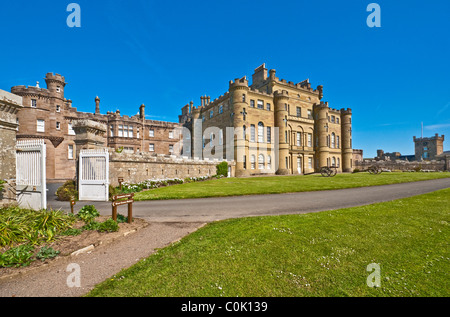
310,133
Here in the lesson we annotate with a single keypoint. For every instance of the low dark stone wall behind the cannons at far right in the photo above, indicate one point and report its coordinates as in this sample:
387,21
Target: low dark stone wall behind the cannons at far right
399,165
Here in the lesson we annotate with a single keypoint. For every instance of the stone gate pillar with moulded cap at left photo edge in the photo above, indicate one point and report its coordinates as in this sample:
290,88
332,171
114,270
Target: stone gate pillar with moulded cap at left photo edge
10,105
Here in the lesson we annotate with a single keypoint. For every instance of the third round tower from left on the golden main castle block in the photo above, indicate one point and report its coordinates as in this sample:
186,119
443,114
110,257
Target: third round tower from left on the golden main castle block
323,150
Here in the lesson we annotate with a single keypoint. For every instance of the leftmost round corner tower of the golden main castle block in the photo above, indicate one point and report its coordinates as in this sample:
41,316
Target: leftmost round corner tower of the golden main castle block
239,96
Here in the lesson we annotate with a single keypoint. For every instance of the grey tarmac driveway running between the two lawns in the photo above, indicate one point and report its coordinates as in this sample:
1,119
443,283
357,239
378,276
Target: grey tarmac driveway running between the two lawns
211,209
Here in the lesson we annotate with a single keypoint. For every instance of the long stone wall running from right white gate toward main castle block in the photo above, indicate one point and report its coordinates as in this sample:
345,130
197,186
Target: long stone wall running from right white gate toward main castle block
135,168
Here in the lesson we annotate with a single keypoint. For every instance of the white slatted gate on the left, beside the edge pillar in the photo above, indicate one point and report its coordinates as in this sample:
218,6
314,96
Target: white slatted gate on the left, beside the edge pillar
31,174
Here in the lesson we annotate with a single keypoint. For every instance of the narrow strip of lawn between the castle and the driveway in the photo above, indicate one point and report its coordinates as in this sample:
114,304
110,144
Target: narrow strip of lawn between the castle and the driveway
280,184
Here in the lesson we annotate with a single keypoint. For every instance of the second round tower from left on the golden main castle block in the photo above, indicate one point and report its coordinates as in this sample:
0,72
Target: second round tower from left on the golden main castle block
281,112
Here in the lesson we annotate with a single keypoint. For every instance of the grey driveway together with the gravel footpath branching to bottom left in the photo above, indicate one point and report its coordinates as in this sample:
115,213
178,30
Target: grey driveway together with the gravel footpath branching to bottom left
172,219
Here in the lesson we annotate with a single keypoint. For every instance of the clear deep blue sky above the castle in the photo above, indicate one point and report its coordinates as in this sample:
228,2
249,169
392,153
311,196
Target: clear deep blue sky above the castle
167,53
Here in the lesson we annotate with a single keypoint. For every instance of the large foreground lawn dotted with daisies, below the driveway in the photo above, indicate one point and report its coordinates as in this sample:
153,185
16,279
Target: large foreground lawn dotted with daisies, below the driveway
317,254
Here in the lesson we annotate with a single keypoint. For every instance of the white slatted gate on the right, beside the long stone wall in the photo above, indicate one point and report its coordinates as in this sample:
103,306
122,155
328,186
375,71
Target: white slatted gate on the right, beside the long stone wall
93,176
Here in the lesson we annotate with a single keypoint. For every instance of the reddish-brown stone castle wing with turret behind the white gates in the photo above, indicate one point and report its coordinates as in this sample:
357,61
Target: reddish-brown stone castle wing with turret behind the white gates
48,115
